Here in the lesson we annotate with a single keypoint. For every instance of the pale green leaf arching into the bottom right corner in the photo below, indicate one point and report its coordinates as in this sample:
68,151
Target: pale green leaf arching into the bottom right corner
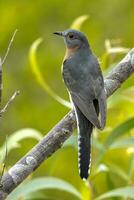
126,192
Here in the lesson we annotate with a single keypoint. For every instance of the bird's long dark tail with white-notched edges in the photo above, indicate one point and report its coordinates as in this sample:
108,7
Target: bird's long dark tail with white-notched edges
84,143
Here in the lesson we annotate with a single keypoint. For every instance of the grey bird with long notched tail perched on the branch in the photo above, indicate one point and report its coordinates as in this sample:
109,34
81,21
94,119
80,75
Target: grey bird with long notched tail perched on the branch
83,78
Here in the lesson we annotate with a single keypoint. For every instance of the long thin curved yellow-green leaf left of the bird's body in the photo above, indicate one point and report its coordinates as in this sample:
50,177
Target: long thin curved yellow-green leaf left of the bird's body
40,79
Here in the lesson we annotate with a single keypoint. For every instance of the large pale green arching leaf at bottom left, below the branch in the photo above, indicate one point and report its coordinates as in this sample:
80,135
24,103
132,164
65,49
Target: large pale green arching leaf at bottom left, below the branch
43,184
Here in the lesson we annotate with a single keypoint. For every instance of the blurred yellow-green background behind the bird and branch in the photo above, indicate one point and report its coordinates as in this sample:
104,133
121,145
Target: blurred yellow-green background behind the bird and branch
109,22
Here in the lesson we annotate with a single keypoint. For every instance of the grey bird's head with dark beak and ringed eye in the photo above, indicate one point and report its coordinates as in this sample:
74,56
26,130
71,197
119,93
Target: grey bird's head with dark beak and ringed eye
73,38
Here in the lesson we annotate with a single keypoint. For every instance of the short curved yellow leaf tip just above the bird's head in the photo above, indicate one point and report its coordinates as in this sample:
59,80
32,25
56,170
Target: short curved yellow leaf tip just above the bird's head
77,23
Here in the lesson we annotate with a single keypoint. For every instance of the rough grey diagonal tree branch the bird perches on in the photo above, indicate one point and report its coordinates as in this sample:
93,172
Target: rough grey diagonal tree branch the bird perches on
61,132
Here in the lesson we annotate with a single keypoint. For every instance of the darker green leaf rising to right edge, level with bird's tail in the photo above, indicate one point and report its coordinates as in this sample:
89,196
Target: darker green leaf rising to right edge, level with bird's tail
119,131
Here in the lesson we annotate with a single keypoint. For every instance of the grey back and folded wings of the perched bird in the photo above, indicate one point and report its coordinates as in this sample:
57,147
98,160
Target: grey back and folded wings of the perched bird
85,83
